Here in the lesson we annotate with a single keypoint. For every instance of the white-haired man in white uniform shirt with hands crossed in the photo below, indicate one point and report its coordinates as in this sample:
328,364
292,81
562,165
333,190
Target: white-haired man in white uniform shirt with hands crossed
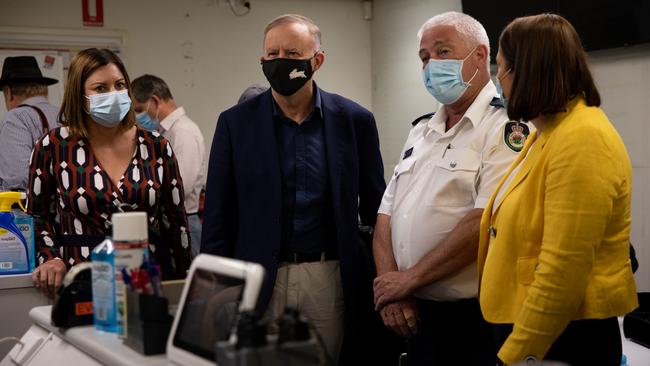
426,237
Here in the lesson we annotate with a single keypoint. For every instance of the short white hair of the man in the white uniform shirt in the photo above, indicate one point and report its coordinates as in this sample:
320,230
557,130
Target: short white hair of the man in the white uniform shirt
469,29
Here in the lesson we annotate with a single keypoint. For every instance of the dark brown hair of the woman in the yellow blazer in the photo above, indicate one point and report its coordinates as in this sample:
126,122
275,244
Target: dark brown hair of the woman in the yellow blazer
549,66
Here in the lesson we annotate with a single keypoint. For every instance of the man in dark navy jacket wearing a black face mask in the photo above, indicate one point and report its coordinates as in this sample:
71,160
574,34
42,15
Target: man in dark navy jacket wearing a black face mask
290,172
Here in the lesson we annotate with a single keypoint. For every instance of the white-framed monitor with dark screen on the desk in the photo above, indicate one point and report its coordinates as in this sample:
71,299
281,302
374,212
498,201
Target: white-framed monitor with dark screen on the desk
215,291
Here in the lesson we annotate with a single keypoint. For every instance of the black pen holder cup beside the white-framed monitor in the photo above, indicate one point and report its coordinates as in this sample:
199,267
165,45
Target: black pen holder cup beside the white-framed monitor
147,323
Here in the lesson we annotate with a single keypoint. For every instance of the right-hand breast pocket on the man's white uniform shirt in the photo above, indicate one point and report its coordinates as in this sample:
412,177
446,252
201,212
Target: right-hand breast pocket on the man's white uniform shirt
455,177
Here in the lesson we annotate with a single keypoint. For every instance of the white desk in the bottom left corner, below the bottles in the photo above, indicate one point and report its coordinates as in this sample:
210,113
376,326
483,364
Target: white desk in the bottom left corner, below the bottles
78,346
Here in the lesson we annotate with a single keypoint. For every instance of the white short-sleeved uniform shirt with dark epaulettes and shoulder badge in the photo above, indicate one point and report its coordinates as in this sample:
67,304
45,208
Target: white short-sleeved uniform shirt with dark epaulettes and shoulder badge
441,176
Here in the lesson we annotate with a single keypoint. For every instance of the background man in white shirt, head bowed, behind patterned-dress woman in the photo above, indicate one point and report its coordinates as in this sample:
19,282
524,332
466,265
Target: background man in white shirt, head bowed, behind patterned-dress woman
156,111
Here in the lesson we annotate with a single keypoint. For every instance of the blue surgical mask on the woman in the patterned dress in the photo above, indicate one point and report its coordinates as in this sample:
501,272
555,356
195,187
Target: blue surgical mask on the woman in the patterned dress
109,109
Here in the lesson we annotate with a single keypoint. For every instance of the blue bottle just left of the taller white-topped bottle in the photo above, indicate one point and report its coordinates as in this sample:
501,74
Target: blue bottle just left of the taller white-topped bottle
103,283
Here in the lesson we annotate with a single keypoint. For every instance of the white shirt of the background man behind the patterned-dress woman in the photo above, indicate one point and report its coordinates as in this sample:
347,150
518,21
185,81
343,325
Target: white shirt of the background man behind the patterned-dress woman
187,142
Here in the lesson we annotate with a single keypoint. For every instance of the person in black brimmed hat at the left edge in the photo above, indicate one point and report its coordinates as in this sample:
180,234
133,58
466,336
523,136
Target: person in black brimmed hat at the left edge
29,115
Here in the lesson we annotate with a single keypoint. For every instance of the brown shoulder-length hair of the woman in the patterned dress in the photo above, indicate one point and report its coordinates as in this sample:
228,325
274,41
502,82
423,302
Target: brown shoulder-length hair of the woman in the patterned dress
73,109
